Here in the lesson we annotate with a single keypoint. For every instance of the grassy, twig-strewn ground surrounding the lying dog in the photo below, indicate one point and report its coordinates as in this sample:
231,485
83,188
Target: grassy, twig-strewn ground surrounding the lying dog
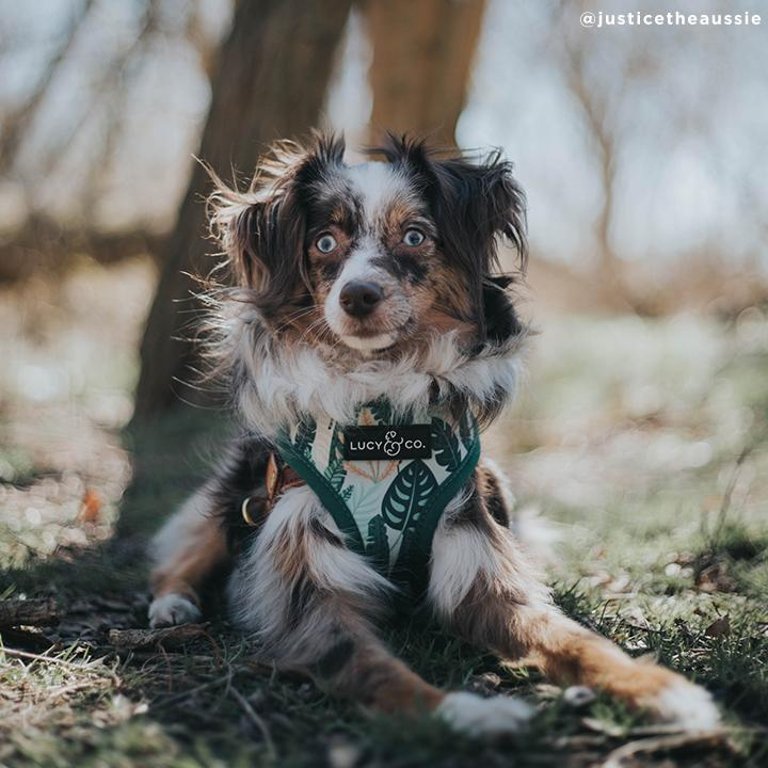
643,442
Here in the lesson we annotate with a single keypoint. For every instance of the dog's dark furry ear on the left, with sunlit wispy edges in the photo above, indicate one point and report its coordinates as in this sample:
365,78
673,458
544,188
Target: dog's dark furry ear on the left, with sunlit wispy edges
262,231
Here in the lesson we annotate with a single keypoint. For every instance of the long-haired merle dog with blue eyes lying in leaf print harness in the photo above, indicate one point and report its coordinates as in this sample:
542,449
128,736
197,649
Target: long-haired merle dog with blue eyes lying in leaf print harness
368,339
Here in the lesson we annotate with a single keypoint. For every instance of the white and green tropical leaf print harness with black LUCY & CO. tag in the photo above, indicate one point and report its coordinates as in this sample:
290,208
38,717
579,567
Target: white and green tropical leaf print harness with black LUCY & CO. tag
385,482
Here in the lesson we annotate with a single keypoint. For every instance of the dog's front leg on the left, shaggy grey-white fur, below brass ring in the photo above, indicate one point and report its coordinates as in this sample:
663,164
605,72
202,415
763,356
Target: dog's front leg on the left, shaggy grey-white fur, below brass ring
312,602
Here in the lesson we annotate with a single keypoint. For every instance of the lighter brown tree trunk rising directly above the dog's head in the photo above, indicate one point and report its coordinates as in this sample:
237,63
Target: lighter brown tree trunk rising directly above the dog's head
422,60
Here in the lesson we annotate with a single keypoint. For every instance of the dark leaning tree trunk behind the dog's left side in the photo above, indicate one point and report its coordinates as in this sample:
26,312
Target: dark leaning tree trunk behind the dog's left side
270,82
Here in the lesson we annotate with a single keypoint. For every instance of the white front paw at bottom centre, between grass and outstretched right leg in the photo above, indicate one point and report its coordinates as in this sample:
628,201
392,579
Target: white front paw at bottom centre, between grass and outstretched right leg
476,716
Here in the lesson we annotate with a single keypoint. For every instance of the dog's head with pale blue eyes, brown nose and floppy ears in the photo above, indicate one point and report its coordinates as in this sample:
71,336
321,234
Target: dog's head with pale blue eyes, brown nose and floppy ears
375,258
